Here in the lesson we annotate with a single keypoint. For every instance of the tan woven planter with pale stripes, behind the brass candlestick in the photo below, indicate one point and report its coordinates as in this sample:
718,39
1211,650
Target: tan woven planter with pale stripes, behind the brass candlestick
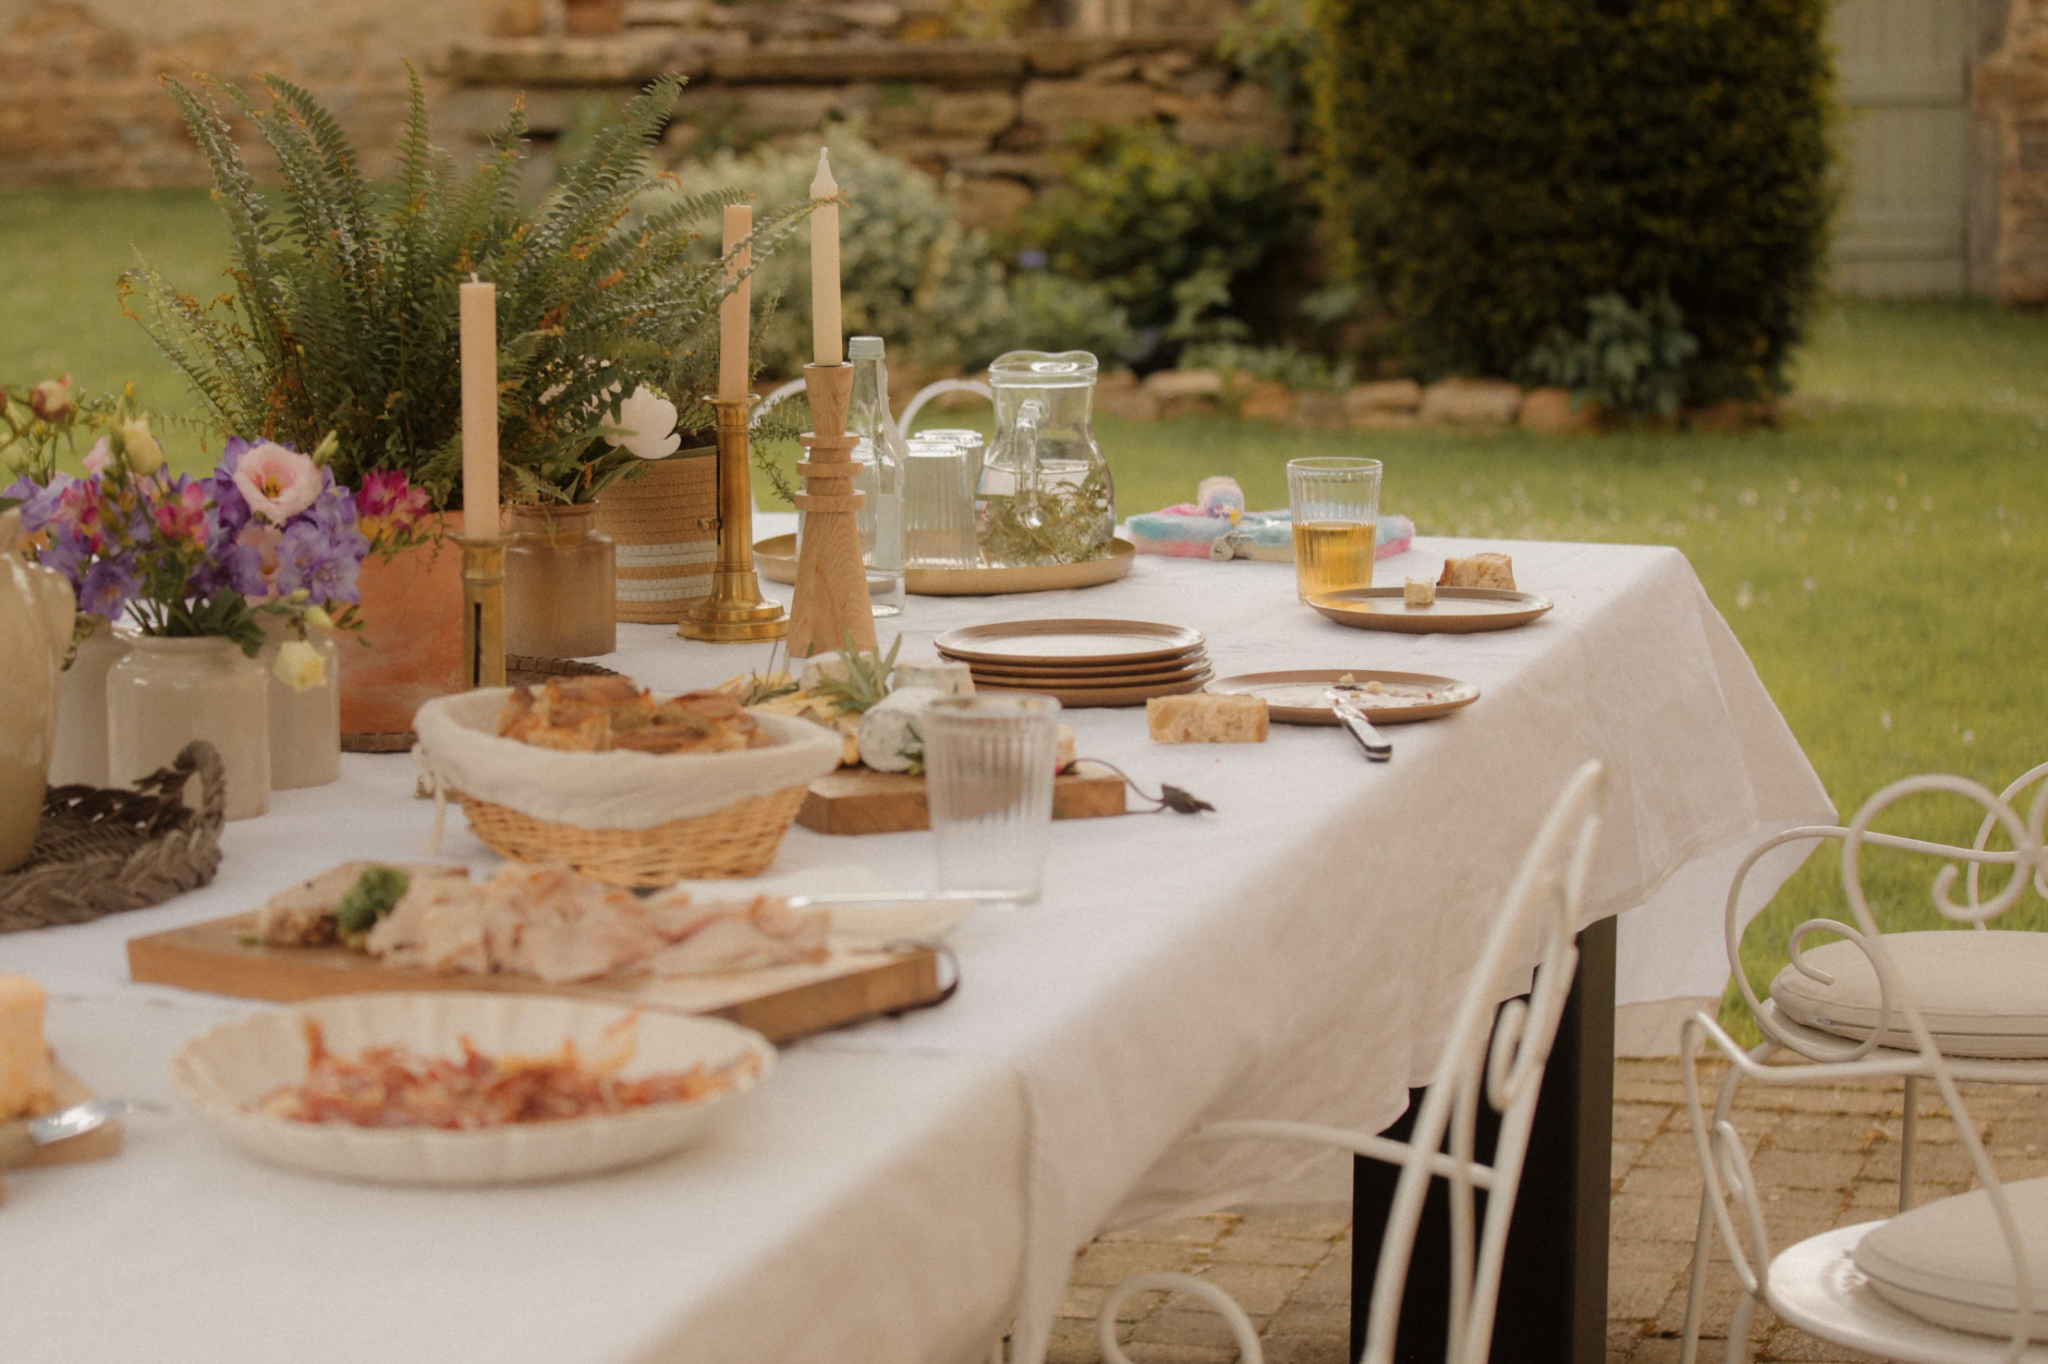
665,529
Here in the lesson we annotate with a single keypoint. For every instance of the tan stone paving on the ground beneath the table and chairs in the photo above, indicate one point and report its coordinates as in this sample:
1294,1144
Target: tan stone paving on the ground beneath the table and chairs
1826,1154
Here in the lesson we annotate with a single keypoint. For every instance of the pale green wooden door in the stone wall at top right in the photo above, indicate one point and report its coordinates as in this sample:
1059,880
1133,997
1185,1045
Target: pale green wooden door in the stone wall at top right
1906,144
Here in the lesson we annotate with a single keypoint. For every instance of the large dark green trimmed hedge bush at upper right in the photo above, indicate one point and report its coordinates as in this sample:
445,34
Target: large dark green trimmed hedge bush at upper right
1492,165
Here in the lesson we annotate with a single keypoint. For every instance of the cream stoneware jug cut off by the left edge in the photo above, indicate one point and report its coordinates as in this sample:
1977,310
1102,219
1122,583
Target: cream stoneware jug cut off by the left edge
36,630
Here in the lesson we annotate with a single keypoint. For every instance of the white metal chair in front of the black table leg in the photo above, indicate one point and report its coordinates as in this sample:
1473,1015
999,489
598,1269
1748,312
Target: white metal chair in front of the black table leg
1496,1054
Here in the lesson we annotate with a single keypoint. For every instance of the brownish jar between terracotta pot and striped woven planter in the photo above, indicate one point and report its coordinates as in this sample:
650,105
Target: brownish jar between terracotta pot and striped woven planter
560,583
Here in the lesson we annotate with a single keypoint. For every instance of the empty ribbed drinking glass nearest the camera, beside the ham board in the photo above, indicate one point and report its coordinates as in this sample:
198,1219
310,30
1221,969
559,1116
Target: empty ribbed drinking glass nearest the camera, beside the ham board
988,767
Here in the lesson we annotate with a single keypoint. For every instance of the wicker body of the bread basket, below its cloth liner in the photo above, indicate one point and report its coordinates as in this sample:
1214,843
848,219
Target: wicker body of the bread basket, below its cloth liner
738,841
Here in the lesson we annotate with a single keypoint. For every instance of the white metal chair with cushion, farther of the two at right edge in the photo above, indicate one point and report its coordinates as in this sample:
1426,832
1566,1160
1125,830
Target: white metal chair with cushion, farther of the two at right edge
1828,1003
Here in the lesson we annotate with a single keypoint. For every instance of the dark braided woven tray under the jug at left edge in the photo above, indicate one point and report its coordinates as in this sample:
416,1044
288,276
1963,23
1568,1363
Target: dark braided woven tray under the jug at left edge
103,851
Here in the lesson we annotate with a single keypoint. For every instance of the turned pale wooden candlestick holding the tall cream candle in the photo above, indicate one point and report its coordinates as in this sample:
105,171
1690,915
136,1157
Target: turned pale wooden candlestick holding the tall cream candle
833,581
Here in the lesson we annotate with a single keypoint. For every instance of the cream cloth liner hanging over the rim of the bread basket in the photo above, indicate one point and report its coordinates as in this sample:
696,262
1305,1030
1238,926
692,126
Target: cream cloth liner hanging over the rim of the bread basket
460,751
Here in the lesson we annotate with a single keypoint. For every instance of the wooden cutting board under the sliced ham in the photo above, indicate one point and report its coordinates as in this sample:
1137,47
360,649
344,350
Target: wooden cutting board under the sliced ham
779,1003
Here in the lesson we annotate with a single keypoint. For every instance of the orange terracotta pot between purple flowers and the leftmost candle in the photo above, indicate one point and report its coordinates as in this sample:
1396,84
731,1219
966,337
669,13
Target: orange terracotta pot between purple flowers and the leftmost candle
413,620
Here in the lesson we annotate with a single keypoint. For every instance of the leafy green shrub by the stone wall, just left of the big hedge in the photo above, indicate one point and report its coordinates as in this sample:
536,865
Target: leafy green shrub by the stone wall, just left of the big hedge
1179,239
